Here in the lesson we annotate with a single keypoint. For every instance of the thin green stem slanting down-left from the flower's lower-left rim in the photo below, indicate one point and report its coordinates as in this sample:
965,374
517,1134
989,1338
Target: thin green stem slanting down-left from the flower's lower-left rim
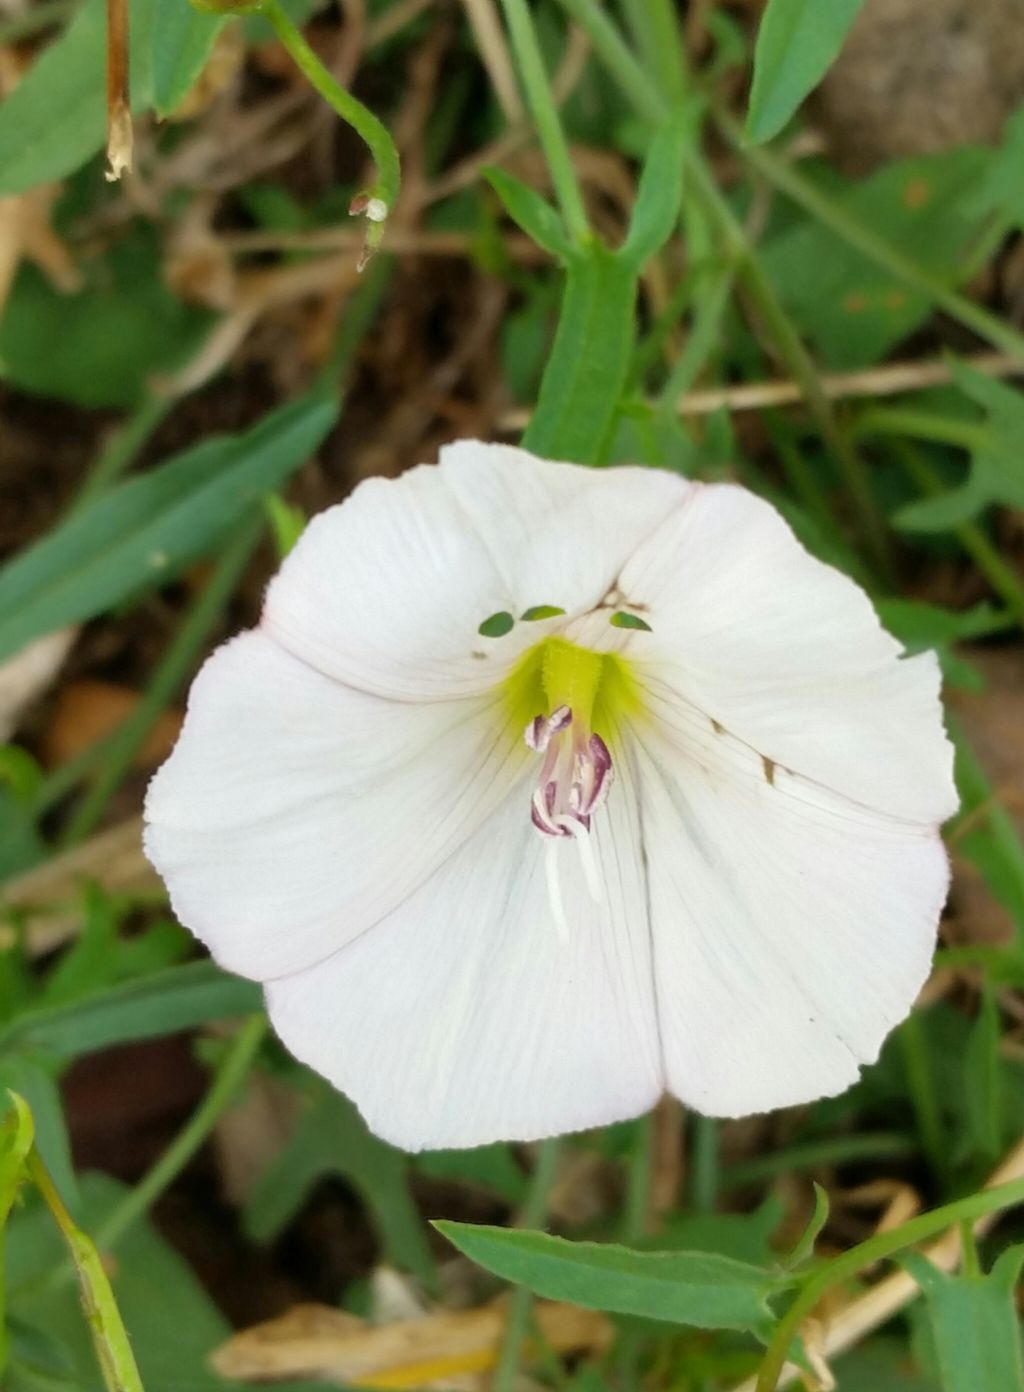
227,1079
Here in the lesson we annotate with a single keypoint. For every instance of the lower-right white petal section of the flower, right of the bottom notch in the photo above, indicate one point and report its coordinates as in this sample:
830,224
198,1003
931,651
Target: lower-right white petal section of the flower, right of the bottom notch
792,928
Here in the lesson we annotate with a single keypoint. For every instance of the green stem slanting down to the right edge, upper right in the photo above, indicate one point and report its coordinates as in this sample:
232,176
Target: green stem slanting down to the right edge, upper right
863,239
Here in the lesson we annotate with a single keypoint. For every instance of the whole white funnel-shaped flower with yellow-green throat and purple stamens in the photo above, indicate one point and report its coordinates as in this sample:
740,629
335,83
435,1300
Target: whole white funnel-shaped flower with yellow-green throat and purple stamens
510,883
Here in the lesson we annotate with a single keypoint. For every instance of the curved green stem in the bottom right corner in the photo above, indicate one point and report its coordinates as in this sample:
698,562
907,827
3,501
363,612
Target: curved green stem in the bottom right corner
866,1255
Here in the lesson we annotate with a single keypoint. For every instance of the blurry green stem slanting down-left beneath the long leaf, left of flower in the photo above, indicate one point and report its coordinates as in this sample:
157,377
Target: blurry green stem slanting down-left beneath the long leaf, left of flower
172,672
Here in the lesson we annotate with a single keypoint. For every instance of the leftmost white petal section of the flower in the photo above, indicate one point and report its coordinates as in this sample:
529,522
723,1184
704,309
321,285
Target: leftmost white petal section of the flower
294,812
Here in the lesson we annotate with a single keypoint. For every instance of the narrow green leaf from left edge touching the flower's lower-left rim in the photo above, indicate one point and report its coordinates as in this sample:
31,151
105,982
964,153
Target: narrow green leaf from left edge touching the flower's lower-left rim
165,1003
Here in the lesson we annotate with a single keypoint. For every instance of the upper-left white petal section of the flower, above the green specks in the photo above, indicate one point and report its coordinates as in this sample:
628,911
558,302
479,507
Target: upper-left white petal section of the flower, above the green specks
387,592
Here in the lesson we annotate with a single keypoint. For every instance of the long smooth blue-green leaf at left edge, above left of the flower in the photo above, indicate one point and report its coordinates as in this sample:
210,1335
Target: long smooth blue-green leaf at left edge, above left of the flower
145,530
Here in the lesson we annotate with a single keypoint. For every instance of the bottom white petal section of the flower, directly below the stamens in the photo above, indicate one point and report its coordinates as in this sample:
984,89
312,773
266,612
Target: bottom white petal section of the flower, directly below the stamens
468,1018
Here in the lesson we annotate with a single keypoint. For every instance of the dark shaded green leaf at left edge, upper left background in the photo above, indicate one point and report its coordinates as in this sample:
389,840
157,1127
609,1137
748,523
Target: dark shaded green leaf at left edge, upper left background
101,346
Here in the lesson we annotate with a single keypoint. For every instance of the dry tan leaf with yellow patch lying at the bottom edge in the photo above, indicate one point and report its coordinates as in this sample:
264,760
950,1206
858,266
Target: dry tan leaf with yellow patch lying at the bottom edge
432,1352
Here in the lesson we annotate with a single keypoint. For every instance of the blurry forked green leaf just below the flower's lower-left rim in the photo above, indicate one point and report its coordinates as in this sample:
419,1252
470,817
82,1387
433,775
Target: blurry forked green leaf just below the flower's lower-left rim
333,1139
